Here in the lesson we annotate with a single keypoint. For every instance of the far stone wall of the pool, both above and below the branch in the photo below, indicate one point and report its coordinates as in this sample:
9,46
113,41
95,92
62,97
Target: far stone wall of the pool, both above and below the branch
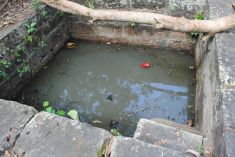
137,34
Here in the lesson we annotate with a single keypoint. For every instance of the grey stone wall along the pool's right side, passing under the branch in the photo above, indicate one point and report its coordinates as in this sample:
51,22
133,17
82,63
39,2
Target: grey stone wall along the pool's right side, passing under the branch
215,85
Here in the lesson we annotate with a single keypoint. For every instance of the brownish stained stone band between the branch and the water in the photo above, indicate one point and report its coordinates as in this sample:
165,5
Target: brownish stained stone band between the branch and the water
119,32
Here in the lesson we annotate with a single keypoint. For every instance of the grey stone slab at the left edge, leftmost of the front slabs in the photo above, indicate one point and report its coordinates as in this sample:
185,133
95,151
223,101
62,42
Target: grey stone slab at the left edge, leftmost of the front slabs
14,117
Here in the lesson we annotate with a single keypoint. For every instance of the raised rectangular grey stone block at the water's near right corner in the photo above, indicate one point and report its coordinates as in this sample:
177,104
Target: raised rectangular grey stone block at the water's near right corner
167,136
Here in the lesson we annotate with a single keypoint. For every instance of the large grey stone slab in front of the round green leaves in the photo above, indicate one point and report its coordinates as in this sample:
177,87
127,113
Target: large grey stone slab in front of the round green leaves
49,135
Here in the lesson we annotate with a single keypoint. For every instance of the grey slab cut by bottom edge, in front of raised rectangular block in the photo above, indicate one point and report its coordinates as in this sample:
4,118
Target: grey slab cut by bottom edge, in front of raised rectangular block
129,147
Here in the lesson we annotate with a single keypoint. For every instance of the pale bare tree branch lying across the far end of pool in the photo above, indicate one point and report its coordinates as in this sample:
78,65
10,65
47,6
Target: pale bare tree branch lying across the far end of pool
158,20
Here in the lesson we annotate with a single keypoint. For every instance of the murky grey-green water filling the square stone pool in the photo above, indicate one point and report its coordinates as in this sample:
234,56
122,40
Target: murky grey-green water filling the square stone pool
105,82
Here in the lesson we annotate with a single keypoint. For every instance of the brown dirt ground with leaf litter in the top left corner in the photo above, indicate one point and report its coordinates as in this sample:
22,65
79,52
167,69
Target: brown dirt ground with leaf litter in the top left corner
13,12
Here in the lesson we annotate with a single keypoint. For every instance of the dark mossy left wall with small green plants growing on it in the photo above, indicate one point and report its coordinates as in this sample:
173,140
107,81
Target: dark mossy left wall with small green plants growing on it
23,54
